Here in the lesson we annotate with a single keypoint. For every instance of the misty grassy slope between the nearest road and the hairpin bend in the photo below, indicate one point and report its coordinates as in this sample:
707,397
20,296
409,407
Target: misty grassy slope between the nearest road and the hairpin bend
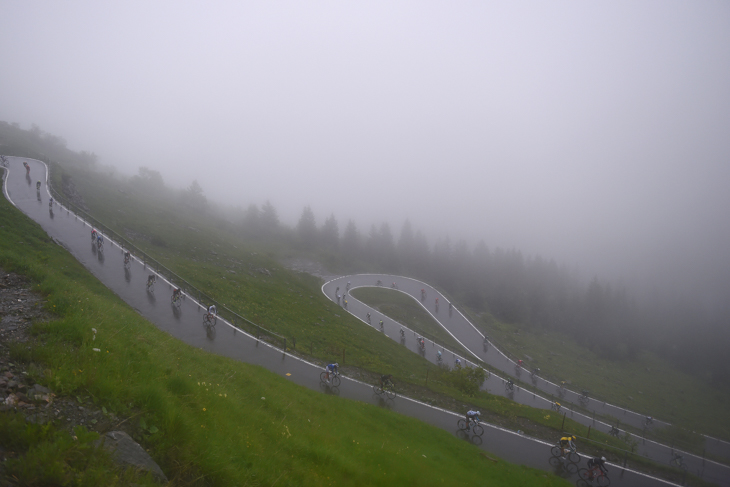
292,304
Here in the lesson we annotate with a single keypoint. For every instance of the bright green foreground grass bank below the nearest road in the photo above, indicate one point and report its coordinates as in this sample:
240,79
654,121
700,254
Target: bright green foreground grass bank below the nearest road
212,422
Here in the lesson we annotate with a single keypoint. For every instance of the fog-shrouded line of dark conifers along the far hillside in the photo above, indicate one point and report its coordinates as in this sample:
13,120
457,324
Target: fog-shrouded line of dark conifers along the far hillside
533,292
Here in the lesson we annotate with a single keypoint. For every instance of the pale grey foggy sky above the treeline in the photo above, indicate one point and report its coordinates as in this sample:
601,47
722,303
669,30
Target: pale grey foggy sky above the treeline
597,133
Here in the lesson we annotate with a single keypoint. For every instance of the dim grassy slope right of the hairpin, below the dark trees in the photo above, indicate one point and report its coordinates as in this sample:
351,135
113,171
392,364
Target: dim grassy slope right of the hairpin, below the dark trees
647,385
